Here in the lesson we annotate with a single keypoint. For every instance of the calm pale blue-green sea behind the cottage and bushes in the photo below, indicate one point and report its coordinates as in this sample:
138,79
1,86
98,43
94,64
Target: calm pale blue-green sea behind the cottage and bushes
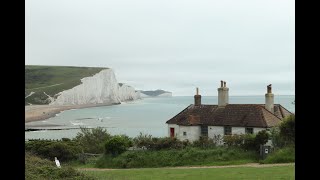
147,116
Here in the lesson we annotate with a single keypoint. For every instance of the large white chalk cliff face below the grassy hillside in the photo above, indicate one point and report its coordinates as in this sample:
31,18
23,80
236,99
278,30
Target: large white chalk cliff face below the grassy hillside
99,88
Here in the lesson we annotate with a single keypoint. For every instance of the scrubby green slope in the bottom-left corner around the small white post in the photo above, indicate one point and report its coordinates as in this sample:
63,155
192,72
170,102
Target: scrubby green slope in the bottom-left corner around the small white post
37,168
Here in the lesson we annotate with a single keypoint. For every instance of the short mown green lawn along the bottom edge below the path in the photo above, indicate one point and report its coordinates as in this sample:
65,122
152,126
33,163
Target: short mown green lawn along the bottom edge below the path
279,172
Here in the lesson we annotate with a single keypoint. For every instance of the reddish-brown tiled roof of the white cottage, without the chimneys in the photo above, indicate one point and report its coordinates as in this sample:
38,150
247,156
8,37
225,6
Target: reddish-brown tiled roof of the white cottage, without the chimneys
242,115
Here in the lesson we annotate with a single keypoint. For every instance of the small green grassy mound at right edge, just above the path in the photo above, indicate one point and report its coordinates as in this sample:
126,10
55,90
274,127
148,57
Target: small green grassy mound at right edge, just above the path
285,155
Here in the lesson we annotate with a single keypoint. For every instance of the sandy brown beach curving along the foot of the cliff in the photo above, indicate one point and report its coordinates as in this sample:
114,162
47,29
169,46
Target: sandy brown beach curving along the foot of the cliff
43,112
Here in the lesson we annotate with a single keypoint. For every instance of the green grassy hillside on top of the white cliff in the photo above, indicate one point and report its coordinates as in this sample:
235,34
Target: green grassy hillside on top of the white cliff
38,77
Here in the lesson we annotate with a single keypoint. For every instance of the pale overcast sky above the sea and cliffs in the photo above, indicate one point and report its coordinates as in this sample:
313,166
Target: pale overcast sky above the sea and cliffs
175,45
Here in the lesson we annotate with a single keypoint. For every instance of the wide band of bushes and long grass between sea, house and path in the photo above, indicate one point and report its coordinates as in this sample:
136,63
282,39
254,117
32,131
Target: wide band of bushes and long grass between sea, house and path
97,148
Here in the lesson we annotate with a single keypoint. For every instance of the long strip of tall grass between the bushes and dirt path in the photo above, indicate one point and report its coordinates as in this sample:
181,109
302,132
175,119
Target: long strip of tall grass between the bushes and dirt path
178,157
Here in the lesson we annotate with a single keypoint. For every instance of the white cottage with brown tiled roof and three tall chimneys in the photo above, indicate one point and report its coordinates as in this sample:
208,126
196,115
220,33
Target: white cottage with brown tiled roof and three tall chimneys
225,119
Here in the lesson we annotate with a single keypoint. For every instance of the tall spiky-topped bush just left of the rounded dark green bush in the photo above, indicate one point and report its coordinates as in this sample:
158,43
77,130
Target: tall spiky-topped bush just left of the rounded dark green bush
92,141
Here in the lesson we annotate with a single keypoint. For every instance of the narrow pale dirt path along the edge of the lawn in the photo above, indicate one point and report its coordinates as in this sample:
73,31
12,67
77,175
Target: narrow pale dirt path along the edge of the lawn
257,165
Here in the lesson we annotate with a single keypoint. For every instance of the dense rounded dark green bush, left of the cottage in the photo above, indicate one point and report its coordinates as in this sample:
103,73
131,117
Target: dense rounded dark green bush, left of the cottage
117,145
